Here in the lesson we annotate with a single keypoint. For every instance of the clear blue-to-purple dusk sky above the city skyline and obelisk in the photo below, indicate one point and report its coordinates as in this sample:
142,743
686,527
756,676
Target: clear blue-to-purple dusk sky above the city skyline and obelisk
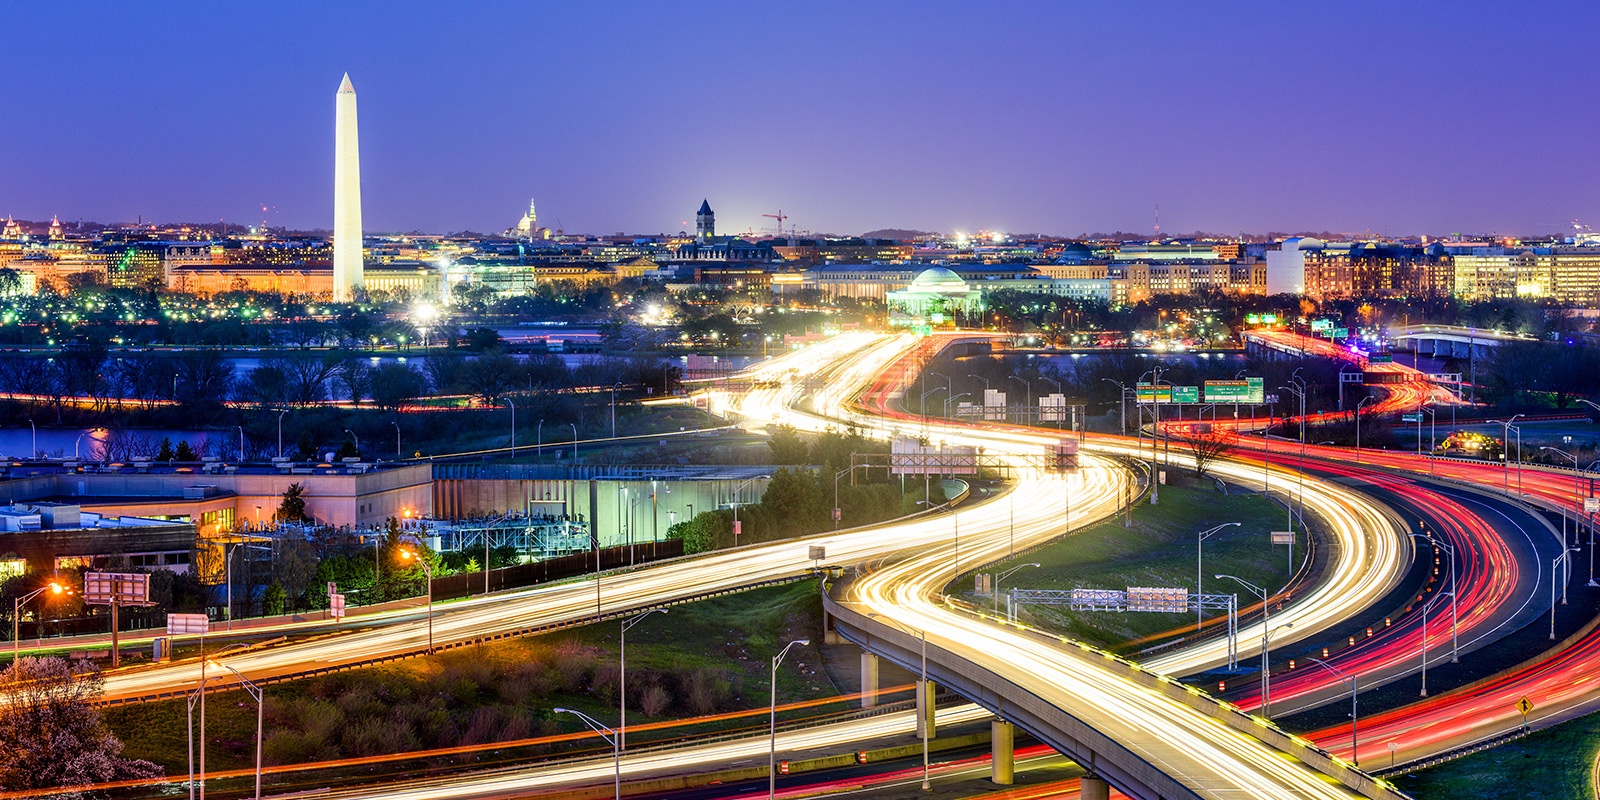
1026,118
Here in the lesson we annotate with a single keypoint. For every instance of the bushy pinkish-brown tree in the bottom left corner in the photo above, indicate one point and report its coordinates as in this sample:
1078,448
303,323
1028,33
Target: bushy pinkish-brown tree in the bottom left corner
54,735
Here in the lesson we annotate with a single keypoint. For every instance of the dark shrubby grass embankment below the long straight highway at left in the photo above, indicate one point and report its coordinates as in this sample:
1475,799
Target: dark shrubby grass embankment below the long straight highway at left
698,658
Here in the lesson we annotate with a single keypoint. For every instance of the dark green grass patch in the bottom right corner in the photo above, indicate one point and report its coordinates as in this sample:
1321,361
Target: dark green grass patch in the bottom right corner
1553,764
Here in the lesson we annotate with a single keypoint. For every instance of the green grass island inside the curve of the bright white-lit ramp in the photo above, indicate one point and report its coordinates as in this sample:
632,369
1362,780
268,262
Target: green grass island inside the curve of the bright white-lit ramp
1158,551
